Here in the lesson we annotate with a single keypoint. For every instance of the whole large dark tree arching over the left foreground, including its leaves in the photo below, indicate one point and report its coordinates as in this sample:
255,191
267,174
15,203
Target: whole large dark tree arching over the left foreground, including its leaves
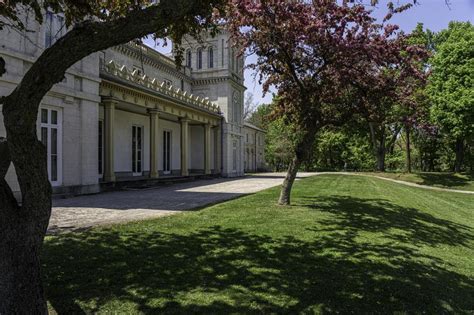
92,26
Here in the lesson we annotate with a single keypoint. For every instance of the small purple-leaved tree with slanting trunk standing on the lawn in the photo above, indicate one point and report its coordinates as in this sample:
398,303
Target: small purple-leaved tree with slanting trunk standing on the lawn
313,53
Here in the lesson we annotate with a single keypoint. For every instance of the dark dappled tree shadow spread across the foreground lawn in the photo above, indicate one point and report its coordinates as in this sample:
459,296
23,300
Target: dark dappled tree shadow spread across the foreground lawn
222,270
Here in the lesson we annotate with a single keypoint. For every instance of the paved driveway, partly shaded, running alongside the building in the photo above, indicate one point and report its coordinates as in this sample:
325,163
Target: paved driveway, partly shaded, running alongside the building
123,206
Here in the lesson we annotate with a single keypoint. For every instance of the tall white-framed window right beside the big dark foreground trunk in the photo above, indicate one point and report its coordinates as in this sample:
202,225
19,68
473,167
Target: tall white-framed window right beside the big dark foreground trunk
51,135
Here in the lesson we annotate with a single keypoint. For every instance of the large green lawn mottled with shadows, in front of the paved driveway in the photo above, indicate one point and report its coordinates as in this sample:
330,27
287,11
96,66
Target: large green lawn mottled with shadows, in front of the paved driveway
348,244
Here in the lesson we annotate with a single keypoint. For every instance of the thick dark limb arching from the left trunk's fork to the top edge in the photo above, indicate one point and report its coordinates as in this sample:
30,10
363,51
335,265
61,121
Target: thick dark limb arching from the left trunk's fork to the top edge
20,108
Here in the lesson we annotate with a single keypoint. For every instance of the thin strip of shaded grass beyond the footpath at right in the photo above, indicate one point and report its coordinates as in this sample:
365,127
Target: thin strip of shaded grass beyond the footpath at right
464,181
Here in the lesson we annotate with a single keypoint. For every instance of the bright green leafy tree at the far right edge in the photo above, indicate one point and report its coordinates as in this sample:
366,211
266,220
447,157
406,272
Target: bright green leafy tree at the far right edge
451,85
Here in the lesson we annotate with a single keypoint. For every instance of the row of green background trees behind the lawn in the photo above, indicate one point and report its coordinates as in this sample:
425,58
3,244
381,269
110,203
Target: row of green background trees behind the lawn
435,132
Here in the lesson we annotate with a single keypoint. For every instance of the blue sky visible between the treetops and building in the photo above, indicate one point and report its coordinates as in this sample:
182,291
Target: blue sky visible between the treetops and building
434,14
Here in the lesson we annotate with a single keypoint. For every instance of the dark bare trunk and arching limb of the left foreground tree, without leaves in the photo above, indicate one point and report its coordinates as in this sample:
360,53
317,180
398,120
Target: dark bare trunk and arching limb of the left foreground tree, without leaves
22,228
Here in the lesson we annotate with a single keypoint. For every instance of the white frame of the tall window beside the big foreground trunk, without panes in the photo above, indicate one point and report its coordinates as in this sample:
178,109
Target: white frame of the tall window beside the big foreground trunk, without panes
59,127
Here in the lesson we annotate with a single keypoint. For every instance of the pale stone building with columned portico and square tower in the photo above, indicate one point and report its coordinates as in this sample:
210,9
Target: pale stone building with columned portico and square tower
127,114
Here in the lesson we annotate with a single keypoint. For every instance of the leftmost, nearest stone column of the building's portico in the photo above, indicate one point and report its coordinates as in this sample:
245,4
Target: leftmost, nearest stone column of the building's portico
109,113
